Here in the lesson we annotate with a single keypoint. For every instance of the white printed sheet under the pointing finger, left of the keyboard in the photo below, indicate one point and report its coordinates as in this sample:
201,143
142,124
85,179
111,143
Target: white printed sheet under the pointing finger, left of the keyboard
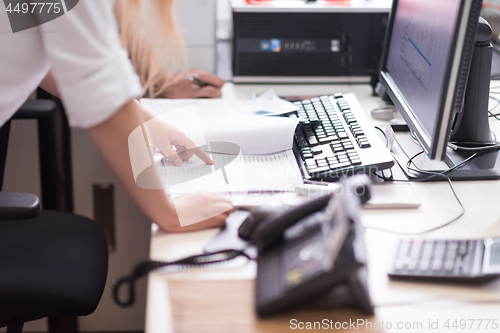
242,174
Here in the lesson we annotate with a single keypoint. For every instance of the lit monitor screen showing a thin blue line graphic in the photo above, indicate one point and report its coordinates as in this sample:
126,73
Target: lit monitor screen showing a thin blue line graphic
418,54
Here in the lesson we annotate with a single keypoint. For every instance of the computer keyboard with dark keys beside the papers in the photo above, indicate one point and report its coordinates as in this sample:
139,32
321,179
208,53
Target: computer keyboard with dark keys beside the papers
336,138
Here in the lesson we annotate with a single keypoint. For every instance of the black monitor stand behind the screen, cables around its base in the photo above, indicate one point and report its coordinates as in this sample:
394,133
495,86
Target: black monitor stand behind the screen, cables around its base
471,127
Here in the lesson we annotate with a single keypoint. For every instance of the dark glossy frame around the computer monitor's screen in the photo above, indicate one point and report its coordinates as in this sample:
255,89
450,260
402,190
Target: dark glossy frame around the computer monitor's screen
455,80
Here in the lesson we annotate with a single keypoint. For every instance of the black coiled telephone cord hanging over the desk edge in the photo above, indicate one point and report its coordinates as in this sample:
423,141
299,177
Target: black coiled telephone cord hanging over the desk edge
144,267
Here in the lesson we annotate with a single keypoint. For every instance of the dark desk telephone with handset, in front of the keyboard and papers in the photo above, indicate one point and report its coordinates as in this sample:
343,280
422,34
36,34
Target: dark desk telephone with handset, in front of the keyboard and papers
304,251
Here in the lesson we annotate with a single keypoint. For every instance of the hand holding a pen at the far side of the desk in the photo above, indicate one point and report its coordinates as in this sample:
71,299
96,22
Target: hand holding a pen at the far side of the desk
183,87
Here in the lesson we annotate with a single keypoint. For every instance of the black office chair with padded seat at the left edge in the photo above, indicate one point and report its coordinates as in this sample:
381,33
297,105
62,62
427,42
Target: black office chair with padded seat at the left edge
52,264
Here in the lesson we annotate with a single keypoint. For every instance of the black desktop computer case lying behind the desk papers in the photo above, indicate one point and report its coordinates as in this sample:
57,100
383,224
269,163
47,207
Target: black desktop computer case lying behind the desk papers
285,41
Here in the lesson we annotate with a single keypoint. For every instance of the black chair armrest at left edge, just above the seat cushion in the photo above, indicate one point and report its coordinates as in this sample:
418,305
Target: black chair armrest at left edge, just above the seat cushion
17,206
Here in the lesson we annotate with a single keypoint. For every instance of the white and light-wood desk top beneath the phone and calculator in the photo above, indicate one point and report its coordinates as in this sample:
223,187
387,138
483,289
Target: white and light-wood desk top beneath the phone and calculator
221,299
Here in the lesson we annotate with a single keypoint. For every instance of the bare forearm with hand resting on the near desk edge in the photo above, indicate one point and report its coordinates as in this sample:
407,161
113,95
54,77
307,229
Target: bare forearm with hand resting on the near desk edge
111,139
